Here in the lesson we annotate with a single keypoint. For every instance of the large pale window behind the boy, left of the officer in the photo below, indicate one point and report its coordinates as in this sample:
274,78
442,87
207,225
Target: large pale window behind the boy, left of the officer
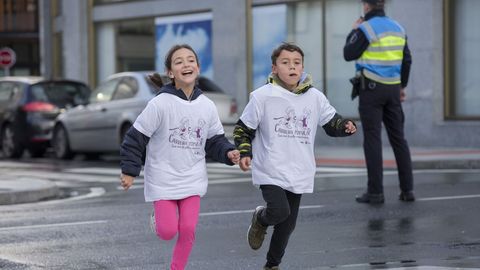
320,28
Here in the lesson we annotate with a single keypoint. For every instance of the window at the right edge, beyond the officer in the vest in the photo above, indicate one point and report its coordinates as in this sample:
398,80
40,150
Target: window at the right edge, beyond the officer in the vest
462,62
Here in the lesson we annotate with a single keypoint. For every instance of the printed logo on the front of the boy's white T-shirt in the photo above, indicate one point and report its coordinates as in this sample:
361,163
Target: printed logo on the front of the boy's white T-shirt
291,125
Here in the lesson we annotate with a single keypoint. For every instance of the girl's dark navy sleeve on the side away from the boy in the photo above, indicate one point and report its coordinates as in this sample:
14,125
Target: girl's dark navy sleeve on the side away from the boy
132,152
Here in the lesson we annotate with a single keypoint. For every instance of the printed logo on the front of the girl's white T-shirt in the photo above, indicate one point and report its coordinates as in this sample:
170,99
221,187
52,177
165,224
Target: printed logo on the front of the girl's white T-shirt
186,135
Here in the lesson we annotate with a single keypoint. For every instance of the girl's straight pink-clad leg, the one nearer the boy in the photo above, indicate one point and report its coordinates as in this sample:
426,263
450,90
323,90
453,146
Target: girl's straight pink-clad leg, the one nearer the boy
188,209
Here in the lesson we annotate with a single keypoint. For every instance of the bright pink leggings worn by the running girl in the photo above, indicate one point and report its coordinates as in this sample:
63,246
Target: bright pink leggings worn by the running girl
168,223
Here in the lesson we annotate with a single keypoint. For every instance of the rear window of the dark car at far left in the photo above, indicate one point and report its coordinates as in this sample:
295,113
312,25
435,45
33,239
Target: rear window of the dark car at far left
61,94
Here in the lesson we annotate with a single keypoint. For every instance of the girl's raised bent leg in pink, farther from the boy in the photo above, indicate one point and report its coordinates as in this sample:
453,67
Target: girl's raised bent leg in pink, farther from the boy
166,220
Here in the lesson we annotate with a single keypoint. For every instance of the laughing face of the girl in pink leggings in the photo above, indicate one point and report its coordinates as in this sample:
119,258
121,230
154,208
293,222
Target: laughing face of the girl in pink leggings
184,68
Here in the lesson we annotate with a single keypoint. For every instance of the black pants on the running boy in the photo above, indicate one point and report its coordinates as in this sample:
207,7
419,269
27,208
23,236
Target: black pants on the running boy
281,211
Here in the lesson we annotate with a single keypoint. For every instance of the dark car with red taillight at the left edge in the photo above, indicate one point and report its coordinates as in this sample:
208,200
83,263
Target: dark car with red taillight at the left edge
28,109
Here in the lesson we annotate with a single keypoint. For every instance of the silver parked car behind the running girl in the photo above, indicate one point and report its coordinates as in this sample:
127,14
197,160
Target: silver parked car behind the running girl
99,126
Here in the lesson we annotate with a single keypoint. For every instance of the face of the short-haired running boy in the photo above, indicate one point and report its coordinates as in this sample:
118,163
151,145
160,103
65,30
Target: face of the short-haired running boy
289,68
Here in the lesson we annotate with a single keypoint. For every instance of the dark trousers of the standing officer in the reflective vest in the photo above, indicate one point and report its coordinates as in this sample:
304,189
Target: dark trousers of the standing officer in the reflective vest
381,103
